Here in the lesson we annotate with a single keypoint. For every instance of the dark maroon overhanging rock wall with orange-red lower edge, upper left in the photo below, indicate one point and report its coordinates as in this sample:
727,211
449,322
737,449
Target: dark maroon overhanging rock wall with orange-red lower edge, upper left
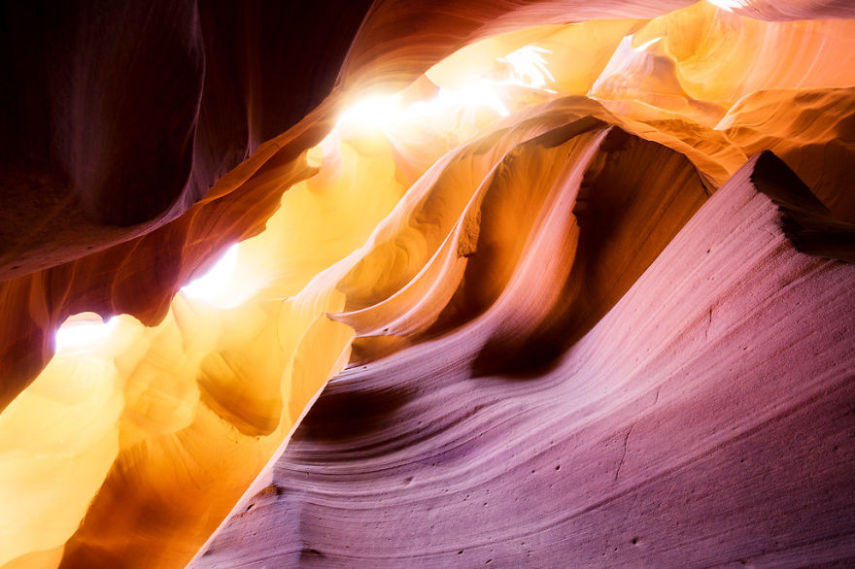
233,134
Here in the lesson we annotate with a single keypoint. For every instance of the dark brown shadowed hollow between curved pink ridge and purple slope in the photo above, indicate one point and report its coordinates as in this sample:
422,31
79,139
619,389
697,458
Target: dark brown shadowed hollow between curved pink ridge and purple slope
627,214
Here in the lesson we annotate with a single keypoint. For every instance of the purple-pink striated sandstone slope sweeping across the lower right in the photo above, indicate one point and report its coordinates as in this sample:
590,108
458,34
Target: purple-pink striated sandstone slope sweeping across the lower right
685,429
